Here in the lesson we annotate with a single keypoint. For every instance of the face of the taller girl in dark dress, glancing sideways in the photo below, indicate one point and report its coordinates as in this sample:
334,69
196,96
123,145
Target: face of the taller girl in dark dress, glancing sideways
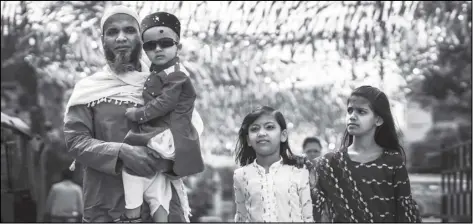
360,118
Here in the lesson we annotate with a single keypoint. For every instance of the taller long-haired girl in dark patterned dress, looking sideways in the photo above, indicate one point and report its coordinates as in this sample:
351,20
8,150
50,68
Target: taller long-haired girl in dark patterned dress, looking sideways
366,180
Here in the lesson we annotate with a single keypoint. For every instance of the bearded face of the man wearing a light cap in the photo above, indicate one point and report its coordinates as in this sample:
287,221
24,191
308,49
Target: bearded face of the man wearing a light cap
121,42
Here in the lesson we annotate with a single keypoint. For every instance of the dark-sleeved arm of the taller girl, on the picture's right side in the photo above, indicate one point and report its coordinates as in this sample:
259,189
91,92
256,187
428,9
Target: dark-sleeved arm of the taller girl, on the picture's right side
406,208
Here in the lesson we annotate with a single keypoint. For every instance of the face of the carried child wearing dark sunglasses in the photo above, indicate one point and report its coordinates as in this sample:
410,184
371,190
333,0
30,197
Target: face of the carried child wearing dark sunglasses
160,44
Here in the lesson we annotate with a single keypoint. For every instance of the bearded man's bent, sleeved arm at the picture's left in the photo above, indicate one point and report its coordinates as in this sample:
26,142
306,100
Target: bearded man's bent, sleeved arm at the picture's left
94,153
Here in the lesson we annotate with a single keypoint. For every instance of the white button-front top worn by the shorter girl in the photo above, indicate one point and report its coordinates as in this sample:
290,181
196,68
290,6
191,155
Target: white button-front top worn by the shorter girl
281,195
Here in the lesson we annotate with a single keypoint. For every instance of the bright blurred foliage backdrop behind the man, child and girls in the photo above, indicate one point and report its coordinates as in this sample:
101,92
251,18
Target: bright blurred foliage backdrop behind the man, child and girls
259,56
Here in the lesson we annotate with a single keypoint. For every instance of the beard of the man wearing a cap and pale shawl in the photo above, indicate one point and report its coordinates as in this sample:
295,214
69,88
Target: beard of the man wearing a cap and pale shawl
123,61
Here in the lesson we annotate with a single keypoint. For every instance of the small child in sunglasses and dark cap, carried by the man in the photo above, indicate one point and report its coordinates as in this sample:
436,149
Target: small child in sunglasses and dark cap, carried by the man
169,103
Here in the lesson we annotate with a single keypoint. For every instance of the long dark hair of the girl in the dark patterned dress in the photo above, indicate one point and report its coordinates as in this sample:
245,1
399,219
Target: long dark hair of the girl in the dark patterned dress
385,135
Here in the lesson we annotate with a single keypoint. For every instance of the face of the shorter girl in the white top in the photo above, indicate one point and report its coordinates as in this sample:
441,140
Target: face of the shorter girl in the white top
265,135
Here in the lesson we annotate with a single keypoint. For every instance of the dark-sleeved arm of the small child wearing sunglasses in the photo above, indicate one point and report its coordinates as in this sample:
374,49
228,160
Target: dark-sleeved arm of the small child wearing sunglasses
166,101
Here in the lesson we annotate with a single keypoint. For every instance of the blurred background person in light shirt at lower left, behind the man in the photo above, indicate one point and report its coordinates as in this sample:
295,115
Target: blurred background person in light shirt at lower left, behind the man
64,203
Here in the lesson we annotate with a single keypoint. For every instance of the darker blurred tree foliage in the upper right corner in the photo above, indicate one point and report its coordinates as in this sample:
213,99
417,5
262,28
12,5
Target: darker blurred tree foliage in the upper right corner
439,69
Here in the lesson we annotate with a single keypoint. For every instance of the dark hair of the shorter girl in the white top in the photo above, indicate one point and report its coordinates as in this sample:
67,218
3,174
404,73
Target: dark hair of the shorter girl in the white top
245,154
